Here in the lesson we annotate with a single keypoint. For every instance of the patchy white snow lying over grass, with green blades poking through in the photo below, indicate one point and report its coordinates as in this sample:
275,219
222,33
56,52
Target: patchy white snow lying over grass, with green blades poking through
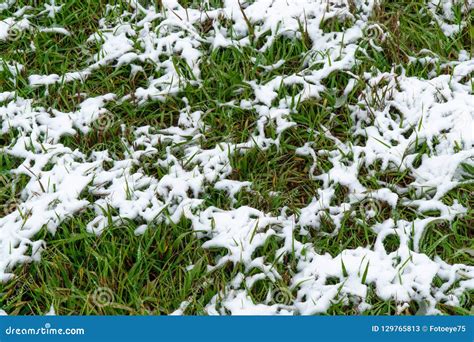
393,116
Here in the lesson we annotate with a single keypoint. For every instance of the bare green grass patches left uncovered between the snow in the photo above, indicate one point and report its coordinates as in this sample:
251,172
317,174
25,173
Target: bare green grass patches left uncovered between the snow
147,274
